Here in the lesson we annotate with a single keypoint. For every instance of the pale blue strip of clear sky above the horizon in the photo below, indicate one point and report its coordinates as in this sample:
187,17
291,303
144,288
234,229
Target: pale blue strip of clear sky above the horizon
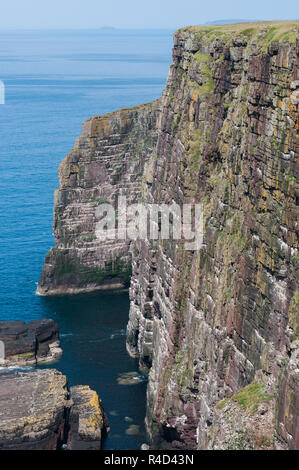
168,14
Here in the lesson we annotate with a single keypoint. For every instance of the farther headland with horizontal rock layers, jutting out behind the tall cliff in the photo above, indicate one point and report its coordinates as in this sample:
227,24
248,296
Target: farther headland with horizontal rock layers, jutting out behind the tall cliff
108,160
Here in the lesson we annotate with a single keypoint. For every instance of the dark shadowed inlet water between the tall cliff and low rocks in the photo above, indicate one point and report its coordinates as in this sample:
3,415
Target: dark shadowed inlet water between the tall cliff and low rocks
92,332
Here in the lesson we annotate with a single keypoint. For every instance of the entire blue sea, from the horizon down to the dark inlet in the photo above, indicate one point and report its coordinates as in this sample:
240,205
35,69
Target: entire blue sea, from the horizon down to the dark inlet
54,81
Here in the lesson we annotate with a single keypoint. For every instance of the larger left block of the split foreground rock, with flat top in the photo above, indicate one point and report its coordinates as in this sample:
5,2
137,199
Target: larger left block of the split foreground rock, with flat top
32,410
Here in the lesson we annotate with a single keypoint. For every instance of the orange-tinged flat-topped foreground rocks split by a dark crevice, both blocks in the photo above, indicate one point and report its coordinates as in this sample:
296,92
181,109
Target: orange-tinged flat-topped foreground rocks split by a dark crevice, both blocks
34,410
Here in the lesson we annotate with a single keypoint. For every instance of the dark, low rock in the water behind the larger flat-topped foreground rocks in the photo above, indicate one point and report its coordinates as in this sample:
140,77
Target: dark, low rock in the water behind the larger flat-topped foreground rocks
28,344
